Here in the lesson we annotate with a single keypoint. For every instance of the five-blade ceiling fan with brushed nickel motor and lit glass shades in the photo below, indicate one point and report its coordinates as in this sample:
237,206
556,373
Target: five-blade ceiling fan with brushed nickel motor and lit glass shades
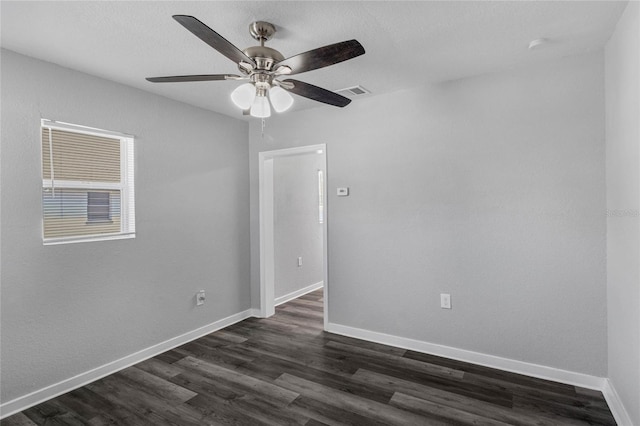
264,66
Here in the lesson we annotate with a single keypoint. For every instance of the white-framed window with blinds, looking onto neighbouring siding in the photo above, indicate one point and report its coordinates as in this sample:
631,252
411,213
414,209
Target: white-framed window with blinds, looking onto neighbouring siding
87,184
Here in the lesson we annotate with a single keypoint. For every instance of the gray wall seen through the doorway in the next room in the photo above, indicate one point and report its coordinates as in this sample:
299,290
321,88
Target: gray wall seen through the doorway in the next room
297,231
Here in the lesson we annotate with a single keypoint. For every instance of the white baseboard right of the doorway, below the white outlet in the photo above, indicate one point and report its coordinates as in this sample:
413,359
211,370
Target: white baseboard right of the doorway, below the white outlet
514,366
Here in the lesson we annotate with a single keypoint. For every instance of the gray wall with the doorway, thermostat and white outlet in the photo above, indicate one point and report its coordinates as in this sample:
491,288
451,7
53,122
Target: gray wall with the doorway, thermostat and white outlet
489,188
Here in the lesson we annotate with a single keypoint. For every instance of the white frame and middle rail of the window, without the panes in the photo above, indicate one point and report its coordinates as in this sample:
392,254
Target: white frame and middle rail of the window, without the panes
125,186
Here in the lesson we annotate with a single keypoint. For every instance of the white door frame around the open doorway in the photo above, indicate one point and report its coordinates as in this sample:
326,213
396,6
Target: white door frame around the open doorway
267,244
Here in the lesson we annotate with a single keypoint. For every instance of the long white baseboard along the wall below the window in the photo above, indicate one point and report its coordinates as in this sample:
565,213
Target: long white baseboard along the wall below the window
67,385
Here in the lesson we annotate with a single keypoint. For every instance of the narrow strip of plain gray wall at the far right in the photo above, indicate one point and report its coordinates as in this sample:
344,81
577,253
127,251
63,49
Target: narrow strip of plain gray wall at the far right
623,203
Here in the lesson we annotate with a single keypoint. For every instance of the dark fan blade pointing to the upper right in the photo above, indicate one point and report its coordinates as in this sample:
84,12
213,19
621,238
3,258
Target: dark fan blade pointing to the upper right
322,57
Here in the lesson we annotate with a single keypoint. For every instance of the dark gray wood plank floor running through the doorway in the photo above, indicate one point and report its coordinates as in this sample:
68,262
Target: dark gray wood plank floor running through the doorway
287,370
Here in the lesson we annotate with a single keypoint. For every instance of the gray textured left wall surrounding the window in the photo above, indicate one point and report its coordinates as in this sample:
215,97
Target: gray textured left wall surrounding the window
70,308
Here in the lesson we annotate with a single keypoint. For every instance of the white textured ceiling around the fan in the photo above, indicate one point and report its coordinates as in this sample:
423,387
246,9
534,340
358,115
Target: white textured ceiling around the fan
407,43
